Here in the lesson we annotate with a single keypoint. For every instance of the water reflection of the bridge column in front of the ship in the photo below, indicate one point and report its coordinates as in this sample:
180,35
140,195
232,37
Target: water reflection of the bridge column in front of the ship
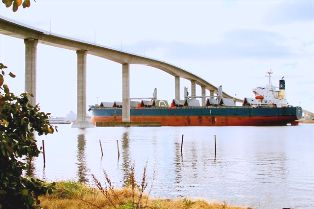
125,157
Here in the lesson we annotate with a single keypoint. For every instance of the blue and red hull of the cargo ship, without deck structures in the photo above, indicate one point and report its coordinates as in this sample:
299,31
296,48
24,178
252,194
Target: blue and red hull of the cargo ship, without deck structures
237,116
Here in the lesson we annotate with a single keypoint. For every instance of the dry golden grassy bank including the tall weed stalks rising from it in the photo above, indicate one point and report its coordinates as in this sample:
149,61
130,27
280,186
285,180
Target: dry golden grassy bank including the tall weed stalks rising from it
133,195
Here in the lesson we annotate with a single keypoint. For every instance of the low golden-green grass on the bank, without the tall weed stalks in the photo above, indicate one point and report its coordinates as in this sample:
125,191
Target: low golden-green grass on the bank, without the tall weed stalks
72,195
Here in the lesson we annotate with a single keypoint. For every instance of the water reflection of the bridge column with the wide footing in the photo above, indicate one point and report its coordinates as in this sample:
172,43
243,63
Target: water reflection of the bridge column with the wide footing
81,161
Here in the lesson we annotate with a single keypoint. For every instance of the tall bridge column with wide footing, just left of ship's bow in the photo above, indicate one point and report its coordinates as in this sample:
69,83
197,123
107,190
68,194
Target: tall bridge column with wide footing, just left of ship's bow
81,121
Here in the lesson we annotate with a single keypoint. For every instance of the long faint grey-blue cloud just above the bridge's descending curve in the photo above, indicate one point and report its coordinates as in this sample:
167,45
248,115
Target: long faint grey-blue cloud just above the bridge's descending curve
237,44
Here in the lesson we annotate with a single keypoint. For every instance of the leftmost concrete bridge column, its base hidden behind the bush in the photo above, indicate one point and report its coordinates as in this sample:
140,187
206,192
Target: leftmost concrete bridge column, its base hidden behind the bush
30,68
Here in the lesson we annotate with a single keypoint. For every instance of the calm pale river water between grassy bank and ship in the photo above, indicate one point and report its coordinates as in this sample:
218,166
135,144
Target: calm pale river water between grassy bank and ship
258,167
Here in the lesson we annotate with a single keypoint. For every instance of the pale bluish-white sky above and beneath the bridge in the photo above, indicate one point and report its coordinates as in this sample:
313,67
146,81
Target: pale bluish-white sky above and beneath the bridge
232,43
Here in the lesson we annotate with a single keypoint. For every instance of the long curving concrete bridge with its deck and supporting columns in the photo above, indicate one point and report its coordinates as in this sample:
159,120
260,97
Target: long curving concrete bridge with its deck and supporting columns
34,36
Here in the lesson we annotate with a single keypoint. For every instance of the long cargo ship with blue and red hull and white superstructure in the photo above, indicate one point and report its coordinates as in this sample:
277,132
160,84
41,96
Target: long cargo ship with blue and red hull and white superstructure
269,107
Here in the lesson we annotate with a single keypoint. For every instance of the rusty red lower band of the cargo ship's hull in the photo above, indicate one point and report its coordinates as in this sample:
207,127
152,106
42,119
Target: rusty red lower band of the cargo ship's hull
200,120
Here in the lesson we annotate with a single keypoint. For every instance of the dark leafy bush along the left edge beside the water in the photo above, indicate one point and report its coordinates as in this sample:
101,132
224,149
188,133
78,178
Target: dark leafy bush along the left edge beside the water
19,121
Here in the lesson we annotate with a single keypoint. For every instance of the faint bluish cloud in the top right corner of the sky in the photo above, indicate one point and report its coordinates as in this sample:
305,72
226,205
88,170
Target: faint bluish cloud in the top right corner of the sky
291,11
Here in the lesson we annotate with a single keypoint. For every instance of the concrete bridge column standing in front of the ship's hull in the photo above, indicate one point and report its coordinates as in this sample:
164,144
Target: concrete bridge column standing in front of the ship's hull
126,93
